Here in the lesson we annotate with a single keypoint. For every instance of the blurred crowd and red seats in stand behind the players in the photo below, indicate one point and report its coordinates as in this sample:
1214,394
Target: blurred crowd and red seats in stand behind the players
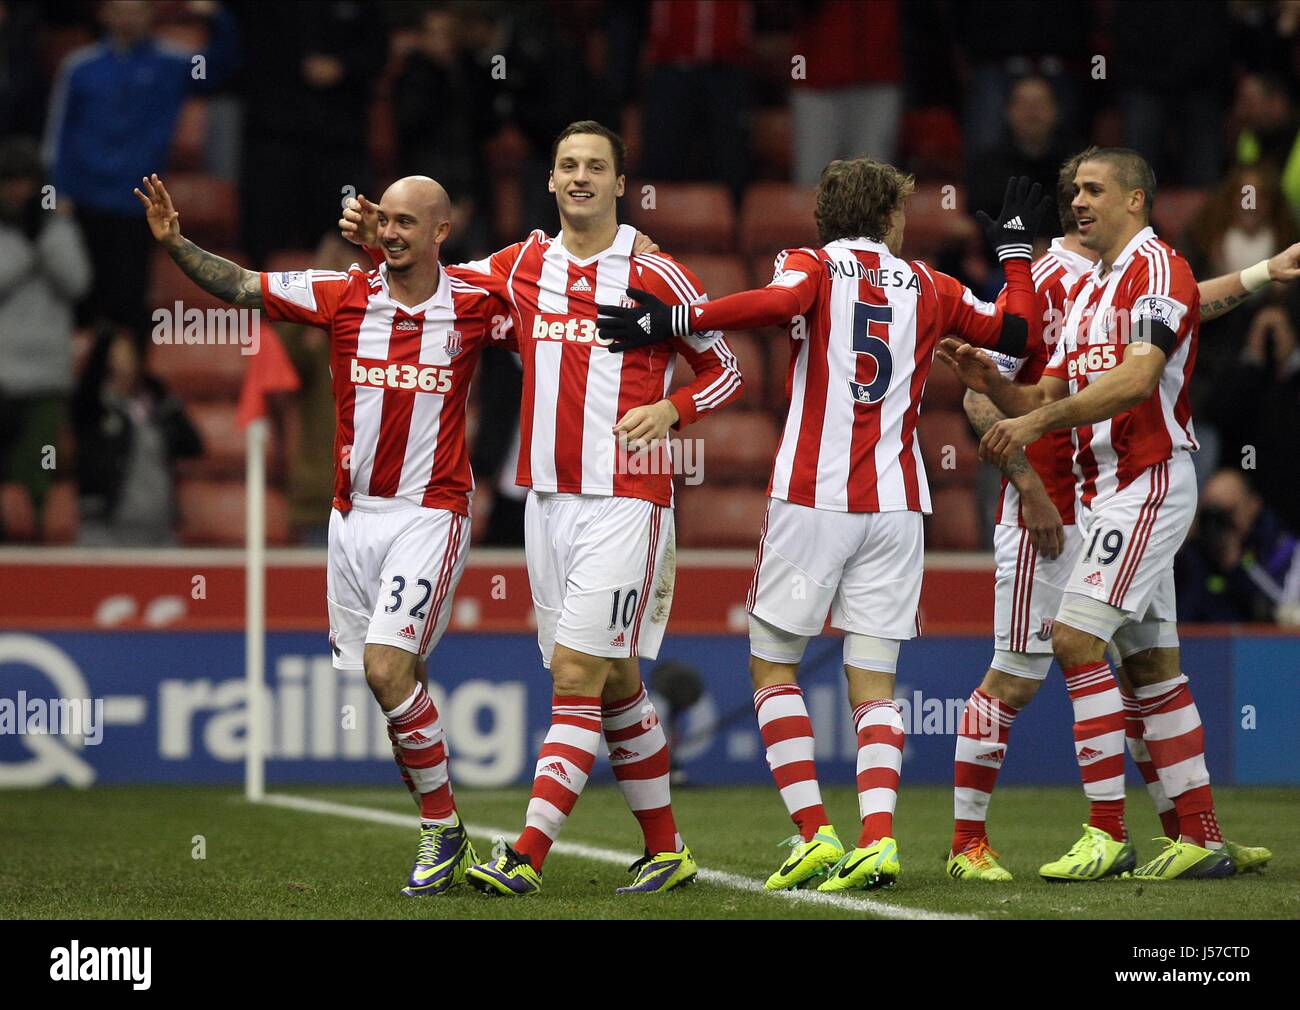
265,115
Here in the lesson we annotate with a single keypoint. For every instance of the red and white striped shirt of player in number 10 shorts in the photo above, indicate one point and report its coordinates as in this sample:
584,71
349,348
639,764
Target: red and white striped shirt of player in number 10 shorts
575,391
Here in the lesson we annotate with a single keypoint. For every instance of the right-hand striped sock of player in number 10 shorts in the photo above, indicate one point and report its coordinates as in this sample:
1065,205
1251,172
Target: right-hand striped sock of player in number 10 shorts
639,752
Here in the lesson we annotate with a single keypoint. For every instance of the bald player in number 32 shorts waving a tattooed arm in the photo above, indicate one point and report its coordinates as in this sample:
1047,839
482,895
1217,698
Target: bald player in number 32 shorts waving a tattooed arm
405,339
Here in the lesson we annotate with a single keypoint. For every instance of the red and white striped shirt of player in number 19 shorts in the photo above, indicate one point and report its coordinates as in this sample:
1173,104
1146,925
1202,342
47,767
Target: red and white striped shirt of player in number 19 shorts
1149,283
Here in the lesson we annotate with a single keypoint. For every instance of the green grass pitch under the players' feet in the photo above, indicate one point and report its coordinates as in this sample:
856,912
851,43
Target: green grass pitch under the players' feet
129,853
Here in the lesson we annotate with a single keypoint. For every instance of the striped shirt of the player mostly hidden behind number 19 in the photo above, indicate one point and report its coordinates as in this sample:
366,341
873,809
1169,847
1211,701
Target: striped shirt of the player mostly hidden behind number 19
1052,457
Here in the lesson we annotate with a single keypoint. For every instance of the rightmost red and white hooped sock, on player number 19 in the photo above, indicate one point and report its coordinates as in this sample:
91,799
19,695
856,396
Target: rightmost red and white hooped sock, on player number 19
1177,743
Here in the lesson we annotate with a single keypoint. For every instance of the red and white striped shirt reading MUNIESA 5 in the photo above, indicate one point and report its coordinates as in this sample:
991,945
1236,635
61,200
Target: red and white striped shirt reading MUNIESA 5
863,343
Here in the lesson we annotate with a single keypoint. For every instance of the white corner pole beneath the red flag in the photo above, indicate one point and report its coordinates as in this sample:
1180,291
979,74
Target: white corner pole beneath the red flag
255,609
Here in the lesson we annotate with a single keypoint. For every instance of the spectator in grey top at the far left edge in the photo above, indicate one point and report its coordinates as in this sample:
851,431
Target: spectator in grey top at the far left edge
44,272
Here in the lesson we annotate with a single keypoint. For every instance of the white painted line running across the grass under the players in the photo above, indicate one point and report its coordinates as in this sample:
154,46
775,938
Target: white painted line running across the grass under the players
863,905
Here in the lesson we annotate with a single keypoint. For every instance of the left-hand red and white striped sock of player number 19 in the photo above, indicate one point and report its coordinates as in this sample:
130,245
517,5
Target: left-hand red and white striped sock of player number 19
1099,743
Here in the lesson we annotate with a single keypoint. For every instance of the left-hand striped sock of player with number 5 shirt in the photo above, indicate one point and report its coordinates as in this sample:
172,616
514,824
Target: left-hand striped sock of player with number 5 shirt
783,721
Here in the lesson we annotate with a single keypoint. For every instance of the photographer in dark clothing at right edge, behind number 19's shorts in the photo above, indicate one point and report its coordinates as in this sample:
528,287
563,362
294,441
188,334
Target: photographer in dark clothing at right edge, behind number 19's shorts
1241,563
